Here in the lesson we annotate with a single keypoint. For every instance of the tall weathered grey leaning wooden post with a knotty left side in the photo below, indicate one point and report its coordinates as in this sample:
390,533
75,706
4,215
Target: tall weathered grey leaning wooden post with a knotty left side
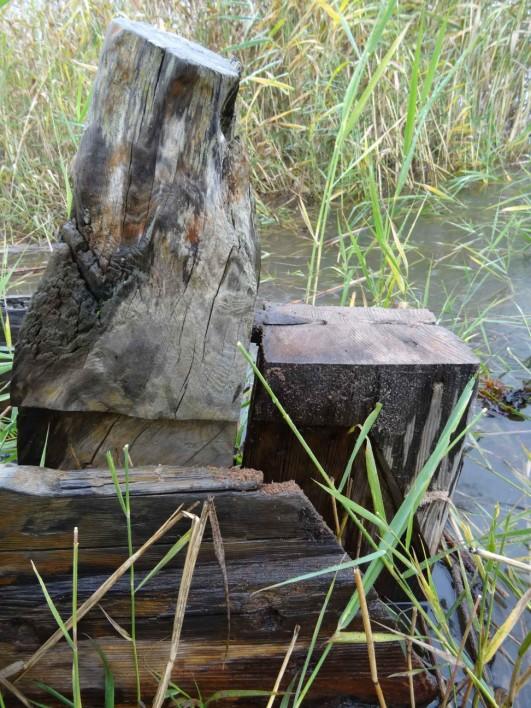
131,335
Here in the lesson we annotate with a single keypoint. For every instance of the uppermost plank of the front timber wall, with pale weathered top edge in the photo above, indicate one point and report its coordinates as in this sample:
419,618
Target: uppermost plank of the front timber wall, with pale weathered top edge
36,521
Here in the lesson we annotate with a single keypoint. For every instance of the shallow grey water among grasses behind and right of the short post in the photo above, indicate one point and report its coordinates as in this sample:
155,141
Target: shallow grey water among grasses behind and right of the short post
502,443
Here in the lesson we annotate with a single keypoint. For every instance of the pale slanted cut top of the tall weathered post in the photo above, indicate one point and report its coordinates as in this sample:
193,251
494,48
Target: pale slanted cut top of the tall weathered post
184,49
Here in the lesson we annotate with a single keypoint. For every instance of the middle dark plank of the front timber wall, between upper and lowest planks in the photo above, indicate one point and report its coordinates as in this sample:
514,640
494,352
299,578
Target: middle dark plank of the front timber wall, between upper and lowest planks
26,620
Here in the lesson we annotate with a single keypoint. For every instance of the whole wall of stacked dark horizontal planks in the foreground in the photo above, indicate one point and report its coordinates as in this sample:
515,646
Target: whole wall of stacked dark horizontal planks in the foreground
270,533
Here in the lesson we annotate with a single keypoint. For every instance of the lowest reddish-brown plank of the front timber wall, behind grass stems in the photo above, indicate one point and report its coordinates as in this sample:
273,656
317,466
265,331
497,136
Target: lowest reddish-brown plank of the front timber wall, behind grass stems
211,667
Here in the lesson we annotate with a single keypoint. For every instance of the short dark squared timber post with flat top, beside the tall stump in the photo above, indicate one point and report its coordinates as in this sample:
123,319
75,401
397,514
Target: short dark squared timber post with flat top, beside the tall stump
329,366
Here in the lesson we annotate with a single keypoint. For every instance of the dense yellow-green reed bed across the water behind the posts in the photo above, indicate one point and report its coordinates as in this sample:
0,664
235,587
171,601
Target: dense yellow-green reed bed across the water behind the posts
452,98
